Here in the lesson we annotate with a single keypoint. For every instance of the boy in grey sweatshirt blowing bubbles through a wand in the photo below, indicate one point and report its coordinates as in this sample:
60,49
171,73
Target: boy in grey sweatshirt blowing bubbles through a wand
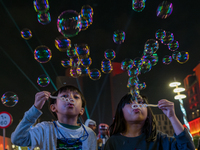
66,104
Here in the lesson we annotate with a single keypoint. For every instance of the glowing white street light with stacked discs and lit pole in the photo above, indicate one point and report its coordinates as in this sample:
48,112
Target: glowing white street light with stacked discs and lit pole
180,97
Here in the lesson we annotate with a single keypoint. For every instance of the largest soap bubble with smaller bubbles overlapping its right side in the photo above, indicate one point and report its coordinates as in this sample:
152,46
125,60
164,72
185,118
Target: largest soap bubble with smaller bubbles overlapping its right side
70,22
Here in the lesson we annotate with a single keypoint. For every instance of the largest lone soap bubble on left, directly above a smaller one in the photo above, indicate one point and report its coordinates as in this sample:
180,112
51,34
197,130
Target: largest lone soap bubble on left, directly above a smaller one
42,54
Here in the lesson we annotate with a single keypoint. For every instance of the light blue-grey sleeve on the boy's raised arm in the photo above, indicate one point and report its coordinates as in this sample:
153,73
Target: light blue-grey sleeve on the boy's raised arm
21,135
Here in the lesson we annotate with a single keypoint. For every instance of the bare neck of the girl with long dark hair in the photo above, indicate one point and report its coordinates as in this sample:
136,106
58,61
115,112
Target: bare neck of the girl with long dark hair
132,130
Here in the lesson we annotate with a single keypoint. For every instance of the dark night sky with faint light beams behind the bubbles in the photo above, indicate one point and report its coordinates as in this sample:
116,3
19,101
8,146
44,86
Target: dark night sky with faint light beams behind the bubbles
19,69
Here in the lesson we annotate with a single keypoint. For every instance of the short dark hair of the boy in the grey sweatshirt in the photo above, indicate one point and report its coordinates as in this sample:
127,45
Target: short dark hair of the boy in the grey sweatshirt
65,88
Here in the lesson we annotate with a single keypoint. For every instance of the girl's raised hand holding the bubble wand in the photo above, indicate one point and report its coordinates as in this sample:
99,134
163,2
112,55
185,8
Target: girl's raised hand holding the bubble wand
167,107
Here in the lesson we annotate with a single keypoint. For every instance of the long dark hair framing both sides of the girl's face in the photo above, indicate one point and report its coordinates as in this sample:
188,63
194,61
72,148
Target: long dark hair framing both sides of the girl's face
119,122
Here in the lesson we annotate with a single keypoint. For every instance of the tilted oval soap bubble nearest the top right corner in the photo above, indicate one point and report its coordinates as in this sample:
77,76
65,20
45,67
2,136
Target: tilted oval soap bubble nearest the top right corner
164,9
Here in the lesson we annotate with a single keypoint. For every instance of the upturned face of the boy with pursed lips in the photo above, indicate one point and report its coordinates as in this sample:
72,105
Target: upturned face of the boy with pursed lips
64,108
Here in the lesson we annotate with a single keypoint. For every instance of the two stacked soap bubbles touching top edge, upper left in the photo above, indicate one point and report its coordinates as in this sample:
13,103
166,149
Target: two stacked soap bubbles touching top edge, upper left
42,9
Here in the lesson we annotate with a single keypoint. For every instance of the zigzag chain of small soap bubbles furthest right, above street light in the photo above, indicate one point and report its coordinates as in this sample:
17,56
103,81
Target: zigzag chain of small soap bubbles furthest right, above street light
167,38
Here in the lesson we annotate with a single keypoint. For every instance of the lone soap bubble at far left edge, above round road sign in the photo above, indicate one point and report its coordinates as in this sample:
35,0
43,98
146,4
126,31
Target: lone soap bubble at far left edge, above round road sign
9,99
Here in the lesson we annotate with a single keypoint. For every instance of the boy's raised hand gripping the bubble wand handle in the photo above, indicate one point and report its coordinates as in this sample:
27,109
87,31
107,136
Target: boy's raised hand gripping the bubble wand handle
40,99
